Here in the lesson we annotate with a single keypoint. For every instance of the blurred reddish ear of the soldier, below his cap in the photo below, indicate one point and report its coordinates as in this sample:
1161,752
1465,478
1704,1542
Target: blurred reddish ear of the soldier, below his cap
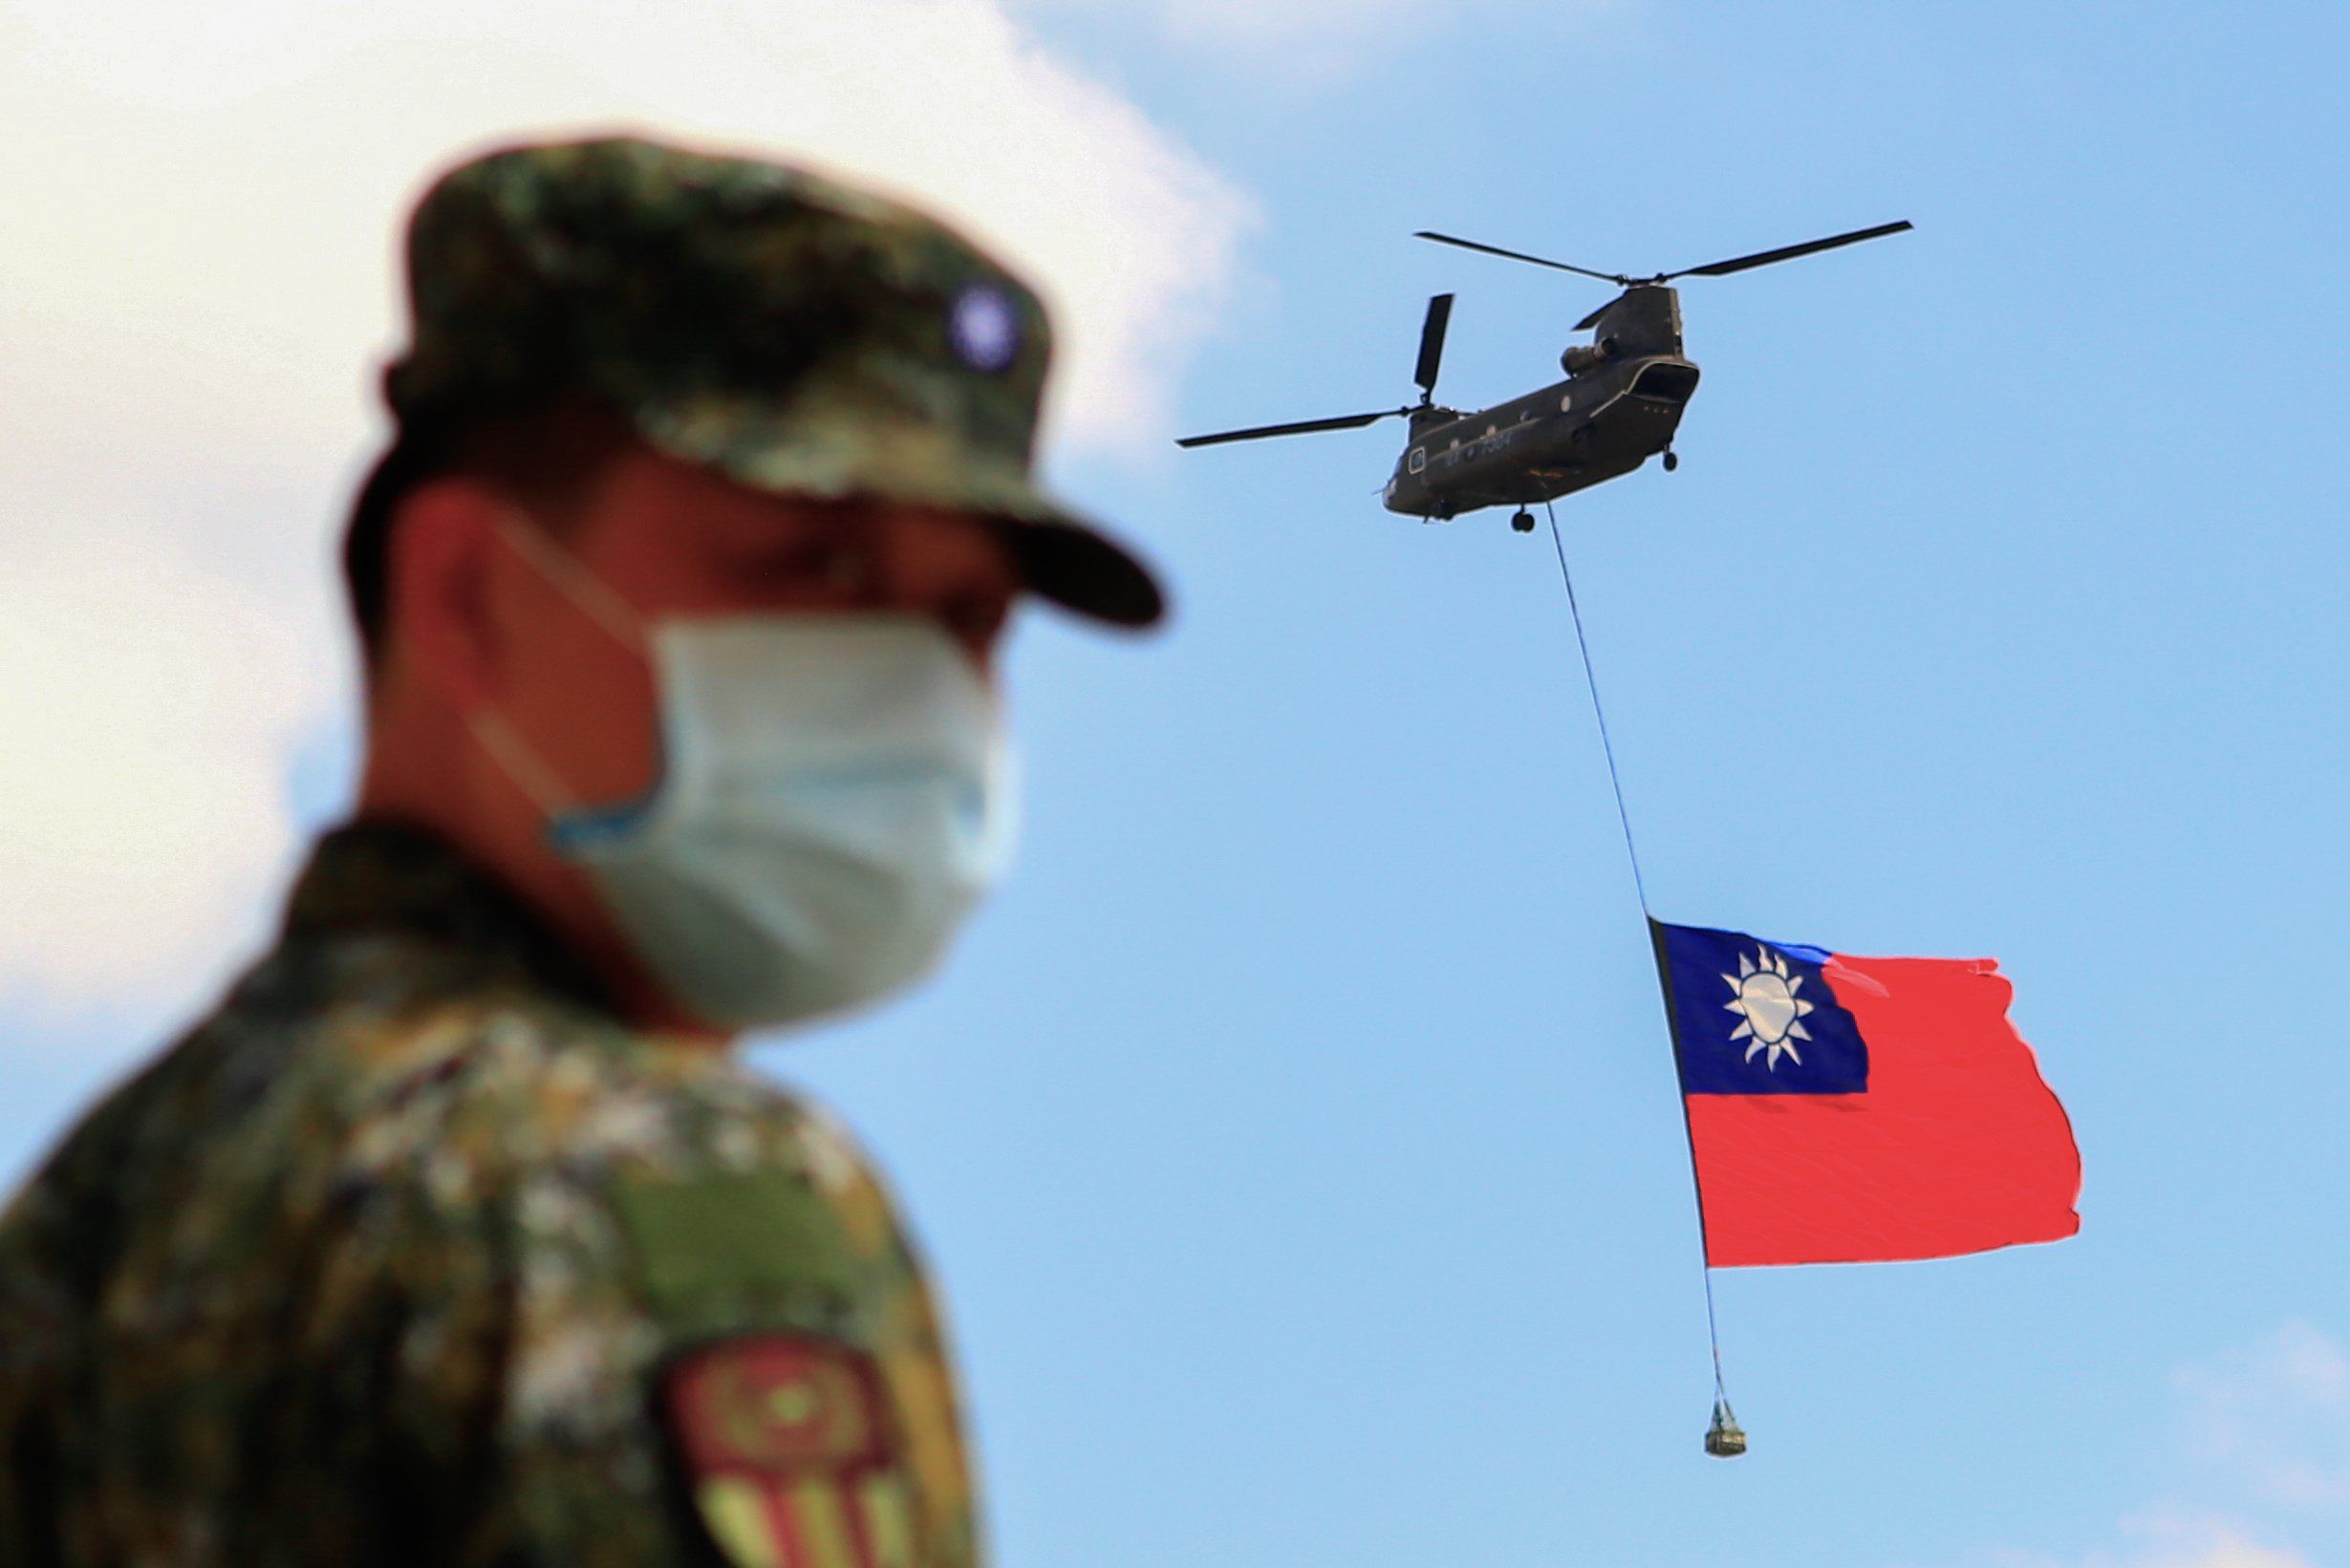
441,558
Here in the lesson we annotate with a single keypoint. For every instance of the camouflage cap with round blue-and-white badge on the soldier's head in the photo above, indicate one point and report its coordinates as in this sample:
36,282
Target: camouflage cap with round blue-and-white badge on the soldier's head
774,326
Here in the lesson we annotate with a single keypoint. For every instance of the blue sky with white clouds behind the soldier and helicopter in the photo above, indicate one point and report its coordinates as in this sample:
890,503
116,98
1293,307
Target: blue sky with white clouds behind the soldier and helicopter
1296,1130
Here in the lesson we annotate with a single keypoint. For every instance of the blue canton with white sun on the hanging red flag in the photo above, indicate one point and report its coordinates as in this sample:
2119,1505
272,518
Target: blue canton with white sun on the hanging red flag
1757,1019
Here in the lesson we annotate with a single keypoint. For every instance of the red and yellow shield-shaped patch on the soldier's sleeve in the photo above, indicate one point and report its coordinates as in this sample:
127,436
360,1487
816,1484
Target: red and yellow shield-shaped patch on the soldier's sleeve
791,1454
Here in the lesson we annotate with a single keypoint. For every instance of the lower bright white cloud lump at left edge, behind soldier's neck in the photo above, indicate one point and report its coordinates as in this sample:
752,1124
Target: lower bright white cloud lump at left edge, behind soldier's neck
145,718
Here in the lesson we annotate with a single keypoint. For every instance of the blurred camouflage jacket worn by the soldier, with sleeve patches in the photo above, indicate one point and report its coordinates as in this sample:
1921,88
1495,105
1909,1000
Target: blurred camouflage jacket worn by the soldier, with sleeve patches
412,1254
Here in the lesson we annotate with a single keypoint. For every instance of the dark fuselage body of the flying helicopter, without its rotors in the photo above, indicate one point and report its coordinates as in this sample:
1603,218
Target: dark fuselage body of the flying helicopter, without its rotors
1545,445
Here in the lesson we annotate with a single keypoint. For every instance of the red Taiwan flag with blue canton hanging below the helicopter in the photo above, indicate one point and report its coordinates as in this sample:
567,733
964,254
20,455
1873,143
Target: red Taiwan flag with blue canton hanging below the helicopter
1860,1111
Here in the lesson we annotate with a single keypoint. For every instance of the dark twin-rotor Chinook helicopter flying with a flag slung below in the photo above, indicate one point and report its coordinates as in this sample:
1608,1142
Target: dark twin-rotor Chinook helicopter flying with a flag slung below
1616,410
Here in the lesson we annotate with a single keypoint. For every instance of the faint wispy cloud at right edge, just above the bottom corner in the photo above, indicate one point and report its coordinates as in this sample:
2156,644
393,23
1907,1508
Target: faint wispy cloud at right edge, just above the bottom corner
2278,1414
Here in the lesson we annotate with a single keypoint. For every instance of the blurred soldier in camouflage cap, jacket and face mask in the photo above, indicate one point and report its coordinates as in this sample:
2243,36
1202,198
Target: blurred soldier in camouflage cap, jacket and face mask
457,1235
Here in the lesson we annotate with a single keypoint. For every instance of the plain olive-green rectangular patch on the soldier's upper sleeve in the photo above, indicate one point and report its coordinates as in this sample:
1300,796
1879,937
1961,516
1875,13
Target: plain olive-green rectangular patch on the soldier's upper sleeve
706,1240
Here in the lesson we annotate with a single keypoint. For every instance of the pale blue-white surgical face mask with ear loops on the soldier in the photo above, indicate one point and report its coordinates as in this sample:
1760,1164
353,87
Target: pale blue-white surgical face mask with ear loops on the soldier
833,800
